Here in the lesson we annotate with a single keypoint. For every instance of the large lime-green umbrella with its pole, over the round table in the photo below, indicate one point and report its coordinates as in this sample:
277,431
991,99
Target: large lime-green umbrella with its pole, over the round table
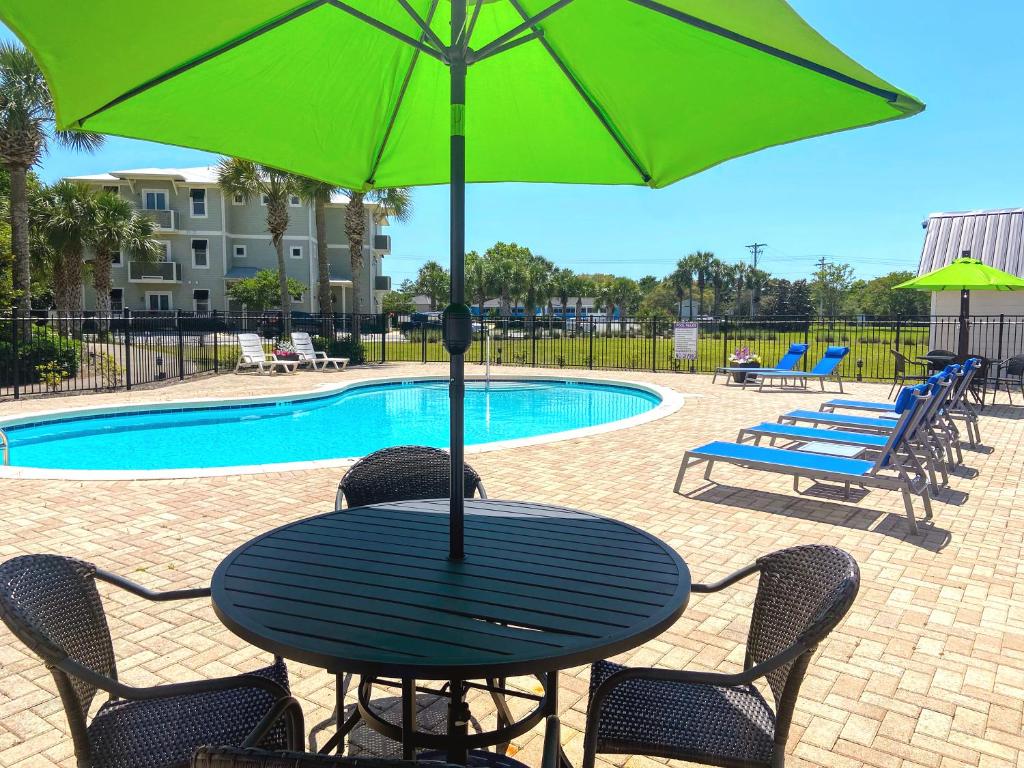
368,93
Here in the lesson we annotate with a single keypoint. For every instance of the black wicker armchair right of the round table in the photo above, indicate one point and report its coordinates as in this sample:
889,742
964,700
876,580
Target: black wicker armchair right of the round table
720,719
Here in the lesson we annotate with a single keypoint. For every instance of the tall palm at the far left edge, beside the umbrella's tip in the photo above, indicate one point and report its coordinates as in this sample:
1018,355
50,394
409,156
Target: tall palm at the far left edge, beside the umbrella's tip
27,124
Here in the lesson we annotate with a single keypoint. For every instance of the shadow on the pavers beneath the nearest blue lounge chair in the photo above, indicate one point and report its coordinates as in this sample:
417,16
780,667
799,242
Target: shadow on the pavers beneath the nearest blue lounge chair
817,507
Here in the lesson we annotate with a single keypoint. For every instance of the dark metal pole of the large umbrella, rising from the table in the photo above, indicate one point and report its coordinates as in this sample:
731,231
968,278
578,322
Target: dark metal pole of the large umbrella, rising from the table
457,387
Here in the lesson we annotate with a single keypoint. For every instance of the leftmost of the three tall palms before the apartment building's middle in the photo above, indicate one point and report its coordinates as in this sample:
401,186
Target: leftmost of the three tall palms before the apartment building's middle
248,180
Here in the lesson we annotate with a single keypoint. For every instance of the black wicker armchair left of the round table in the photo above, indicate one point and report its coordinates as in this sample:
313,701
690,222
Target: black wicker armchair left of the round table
53,606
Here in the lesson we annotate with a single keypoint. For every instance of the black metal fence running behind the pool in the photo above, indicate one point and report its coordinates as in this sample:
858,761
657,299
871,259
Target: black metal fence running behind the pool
54,355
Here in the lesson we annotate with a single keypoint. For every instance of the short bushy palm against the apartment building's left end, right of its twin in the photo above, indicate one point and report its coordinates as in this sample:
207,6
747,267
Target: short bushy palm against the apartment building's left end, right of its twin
117,227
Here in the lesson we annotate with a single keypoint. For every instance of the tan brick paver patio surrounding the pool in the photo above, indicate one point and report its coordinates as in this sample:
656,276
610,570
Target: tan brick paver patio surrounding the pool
928,670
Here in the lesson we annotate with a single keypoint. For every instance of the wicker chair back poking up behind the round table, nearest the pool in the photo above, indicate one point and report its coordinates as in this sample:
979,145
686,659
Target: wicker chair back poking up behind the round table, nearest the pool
403,474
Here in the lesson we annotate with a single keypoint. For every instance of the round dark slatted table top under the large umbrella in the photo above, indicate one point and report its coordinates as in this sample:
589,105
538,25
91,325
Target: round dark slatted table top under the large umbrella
371,590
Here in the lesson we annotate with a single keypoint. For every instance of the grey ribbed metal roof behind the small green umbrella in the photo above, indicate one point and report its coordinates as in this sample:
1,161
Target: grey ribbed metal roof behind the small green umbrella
996,237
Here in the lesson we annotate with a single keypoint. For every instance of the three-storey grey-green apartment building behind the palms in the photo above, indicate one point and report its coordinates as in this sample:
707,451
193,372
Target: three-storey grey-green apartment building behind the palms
211,240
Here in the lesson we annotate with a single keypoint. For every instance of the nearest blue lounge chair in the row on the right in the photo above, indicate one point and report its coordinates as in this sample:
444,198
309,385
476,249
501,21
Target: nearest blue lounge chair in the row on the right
887,472
